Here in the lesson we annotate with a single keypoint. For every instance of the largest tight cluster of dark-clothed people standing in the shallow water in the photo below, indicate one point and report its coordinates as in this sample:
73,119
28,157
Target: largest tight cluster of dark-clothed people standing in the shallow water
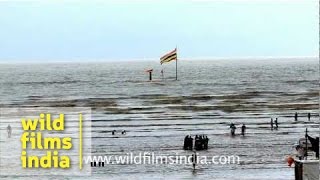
200,142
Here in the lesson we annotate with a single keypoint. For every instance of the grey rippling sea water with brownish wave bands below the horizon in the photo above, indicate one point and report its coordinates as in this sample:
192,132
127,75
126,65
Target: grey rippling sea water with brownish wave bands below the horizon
157,115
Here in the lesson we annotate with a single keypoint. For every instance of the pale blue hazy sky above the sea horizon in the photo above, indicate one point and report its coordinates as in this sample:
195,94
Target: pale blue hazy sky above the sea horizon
124,30
